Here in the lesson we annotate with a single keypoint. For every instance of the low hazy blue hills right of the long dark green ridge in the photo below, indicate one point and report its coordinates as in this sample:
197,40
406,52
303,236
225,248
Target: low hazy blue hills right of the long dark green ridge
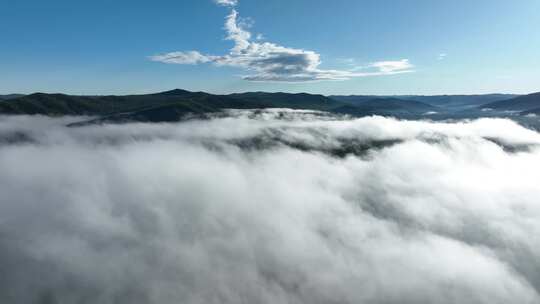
452,102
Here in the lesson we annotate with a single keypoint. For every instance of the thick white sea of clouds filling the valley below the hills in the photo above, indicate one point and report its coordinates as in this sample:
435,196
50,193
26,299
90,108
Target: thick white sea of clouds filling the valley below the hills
269,206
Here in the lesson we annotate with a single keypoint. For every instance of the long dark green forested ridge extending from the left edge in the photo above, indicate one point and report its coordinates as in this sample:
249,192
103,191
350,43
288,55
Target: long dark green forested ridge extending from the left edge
164,106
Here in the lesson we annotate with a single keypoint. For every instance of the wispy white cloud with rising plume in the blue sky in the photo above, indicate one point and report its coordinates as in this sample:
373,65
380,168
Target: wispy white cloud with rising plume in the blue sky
267,61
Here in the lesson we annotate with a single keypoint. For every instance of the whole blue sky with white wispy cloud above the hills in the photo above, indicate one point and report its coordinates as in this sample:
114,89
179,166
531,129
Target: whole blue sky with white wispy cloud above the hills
328,47
